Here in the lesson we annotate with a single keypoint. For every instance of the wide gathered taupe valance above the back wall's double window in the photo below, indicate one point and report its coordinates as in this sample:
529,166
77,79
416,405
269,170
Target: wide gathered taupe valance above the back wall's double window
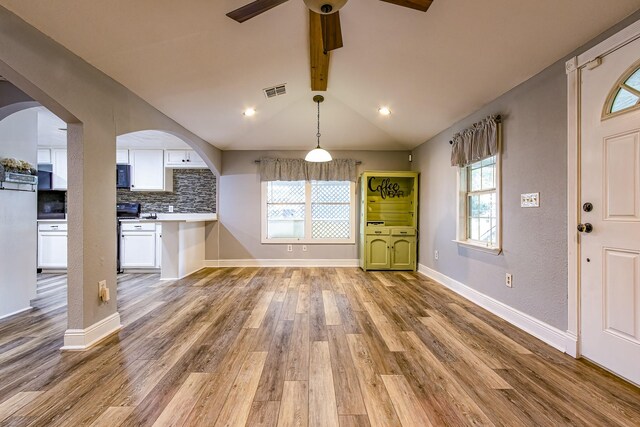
301,170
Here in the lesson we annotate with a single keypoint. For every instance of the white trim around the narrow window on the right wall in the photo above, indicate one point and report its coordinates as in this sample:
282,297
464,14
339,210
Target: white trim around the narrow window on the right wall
461,213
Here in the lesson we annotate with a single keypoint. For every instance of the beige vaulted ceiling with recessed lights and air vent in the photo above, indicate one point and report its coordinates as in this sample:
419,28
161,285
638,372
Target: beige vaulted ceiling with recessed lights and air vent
203,69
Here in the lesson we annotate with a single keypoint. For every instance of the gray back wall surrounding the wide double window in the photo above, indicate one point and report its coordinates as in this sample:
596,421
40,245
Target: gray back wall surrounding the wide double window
239,206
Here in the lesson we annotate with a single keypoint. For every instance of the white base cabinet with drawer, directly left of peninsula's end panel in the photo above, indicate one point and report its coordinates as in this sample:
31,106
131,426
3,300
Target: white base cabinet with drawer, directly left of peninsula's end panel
139,246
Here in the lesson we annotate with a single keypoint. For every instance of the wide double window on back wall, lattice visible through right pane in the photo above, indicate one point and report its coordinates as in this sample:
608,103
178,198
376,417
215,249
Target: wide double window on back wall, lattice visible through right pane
308,212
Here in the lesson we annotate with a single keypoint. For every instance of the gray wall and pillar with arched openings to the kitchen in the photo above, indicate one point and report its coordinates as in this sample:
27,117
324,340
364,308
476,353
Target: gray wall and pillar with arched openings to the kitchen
97,109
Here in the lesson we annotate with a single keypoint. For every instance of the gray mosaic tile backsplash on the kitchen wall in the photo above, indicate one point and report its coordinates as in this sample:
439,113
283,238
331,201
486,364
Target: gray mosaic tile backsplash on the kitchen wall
194,191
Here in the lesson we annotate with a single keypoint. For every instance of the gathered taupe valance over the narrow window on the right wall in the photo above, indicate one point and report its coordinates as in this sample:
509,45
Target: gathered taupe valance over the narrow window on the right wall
476,143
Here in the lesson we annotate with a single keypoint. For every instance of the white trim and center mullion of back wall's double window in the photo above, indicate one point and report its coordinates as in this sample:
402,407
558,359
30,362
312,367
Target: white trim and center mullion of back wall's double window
307,223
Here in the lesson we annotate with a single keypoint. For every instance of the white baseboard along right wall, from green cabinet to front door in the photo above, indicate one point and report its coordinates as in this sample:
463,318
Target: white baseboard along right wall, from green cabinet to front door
541,330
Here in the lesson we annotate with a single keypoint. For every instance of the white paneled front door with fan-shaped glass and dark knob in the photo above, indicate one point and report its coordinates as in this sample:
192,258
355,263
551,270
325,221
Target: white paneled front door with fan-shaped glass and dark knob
610,254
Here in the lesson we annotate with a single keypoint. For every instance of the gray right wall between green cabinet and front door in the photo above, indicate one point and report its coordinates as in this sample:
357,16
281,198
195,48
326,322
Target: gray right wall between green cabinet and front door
534,159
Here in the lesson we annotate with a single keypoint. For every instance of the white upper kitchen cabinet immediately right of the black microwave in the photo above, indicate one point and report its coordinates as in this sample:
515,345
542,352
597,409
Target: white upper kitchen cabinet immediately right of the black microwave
148,172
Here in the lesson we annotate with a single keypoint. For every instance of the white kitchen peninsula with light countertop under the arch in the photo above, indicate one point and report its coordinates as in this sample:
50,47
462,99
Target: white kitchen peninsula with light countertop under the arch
183,242
